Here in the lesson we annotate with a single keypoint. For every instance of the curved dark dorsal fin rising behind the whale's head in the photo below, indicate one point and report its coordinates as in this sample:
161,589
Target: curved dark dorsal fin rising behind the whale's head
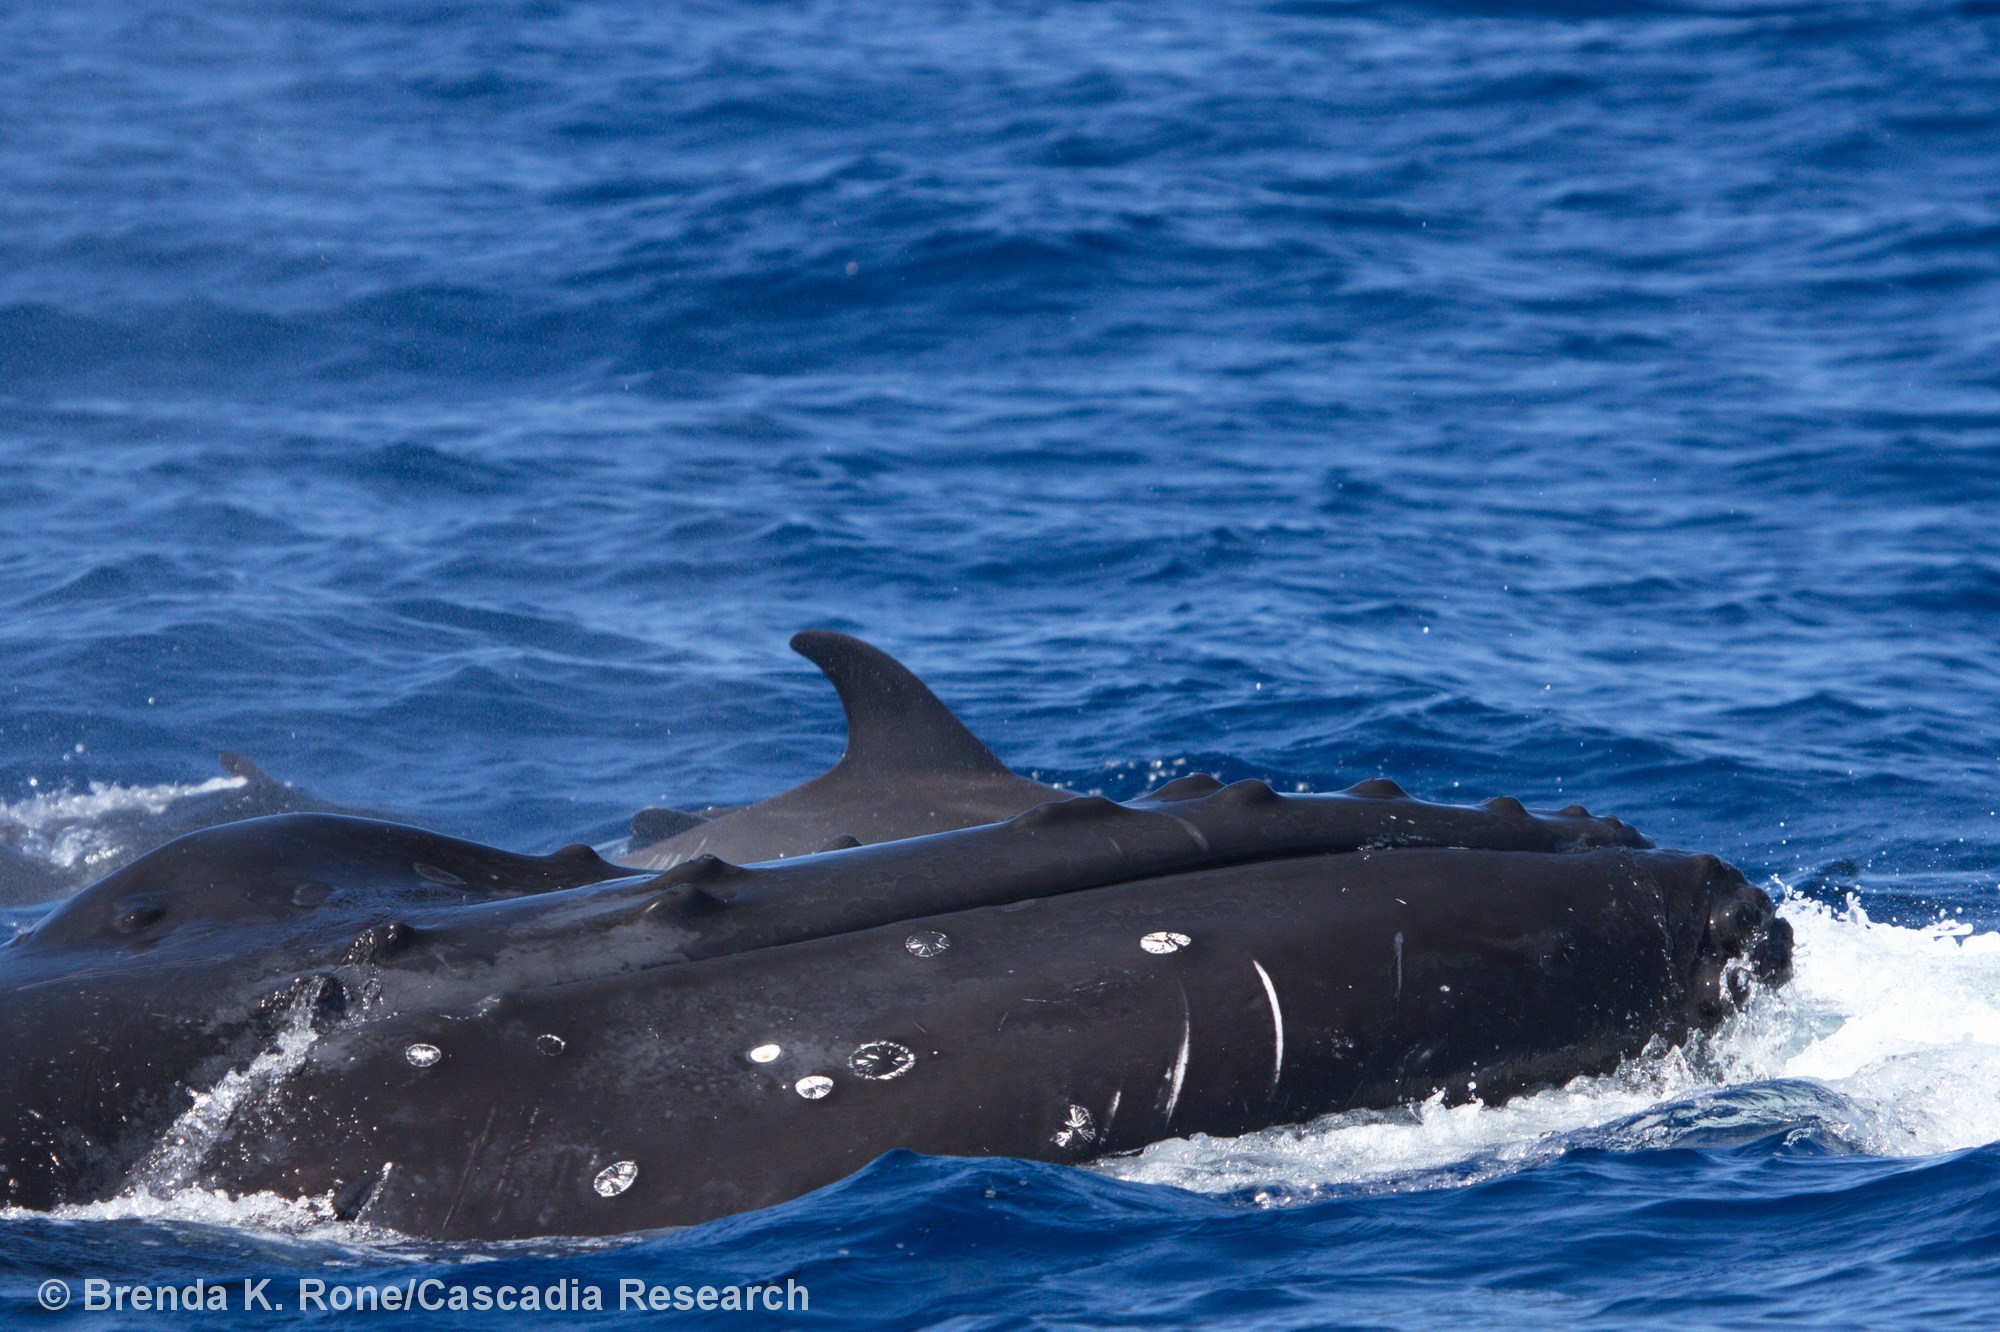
895,723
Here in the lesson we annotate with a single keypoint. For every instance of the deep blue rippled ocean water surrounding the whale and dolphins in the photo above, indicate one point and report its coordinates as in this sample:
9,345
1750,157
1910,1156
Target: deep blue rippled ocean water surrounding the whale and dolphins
457,407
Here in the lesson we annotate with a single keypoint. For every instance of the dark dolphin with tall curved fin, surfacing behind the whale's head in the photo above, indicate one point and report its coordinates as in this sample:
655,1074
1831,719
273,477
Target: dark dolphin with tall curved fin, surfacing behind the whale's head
911,769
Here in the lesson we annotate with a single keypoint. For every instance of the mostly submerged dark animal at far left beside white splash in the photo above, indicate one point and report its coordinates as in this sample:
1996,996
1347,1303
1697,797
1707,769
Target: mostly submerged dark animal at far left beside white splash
125,833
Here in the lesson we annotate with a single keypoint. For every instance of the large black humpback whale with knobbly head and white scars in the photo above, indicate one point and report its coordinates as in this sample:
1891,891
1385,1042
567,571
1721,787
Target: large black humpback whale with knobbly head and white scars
463,1043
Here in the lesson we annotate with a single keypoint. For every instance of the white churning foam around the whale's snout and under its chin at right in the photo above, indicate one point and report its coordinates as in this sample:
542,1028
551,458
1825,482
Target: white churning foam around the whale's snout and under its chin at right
1887,1041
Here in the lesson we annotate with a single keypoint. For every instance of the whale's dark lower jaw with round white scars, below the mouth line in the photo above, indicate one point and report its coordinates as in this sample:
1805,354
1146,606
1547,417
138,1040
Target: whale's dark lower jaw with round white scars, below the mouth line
1515,971
